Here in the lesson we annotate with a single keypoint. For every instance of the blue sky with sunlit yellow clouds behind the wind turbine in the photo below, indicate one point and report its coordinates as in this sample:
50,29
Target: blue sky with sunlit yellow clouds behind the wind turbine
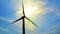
46,15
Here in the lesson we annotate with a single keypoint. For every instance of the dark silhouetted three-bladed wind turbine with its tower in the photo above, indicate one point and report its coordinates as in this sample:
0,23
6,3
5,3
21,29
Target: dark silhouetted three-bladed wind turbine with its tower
23,20
